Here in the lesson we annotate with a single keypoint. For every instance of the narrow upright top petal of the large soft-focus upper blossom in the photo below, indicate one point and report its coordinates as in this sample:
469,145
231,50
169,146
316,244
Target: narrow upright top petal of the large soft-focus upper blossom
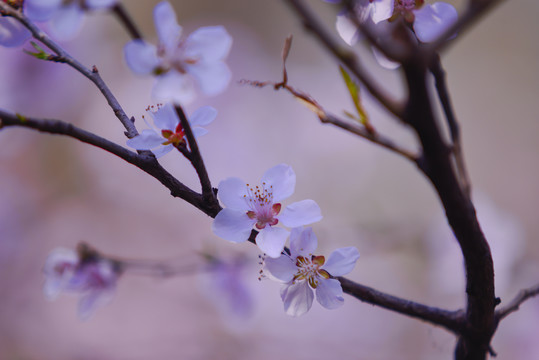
168,30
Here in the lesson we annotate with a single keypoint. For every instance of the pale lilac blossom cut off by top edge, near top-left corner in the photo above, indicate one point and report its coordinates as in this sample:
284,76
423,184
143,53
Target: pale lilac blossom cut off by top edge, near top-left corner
66,17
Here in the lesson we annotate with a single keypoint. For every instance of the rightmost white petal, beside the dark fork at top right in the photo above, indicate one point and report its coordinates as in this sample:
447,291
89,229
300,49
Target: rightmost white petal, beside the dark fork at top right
431,21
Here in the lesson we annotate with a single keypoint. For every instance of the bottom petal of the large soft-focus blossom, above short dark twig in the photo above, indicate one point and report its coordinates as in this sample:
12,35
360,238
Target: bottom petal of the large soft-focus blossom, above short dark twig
174,87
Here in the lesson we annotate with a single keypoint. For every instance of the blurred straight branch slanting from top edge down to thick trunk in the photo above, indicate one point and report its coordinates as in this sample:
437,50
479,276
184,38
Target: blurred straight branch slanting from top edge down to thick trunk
347,57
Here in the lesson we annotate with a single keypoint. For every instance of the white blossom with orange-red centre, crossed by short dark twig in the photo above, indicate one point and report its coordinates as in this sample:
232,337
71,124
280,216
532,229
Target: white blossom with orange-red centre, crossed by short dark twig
170,132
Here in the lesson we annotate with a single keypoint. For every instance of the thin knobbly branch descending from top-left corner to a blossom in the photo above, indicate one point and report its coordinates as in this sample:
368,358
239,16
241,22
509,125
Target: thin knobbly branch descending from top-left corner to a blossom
64,57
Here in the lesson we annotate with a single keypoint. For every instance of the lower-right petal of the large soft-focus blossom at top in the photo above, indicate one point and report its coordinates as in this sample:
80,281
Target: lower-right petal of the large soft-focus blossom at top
213,78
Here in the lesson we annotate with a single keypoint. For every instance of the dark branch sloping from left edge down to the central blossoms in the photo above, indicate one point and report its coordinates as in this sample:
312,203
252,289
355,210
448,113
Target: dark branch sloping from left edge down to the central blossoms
144,161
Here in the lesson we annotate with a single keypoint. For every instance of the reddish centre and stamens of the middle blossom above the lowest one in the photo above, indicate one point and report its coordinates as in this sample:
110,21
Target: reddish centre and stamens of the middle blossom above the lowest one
260,201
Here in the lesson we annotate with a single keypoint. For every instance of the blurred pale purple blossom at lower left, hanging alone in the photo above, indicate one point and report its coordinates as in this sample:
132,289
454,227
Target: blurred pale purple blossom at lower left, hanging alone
93,279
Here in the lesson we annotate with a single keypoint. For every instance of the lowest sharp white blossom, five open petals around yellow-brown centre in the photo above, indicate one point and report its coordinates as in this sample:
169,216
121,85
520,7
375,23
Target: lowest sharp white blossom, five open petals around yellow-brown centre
301,271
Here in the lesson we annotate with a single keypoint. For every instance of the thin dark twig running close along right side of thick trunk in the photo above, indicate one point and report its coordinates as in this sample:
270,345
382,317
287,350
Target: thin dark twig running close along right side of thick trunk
441,87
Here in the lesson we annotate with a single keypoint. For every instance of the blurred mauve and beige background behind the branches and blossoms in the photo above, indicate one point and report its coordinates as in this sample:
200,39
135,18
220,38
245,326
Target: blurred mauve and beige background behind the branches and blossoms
56,192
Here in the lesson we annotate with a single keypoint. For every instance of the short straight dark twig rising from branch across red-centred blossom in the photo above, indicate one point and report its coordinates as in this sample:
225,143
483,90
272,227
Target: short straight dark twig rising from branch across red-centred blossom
196,159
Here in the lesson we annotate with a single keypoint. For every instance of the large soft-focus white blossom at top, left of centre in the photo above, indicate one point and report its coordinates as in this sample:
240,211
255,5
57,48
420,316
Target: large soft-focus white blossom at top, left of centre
179,63
